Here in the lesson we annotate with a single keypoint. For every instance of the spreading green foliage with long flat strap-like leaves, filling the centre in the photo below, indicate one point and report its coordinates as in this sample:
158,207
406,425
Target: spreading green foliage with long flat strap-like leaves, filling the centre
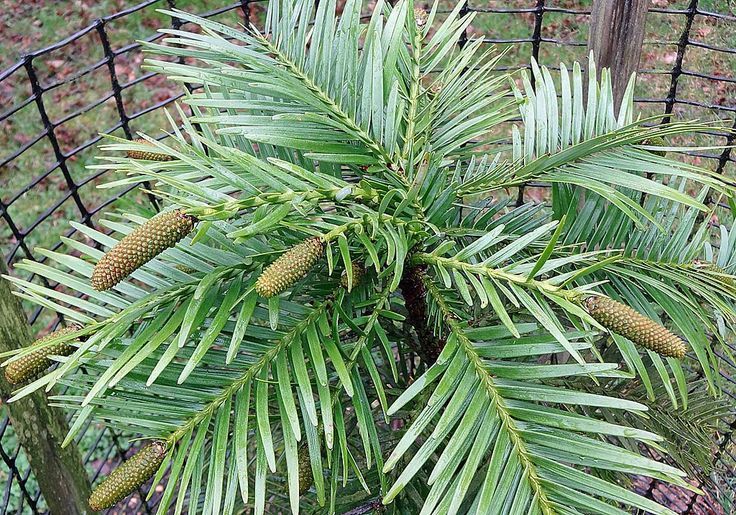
375,142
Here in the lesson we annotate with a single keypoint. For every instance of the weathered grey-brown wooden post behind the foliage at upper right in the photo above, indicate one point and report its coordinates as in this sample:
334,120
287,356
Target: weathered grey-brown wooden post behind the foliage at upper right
616,37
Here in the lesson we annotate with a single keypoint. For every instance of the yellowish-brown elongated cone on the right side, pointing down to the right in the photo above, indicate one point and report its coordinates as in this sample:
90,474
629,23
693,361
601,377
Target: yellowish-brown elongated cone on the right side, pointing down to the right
641,330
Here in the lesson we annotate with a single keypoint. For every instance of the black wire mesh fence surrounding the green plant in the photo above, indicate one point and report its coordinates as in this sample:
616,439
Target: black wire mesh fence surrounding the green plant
50,122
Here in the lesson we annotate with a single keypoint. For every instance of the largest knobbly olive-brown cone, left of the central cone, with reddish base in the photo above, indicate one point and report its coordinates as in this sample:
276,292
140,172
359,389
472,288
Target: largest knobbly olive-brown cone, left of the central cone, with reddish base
140,246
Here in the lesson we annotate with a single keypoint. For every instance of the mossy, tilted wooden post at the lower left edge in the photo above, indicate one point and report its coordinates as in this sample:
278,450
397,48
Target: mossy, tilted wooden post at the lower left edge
41,429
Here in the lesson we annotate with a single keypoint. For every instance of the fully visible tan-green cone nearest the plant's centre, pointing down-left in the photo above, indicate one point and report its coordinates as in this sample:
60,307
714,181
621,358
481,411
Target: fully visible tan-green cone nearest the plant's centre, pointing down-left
293,265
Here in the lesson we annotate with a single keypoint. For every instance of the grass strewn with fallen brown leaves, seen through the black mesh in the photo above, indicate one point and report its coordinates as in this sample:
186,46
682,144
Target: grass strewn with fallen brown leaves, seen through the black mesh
32,25
